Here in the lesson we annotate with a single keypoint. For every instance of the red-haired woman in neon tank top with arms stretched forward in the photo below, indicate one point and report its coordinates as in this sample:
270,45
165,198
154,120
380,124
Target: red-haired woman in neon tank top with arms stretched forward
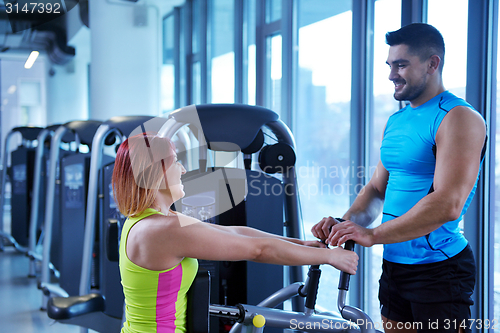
159,247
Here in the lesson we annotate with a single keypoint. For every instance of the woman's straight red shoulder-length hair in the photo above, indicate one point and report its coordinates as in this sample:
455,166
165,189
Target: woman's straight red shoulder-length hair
138,174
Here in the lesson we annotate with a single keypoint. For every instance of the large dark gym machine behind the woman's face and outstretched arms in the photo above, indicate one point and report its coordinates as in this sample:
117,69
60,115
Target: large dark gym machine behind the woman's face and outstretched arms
251,196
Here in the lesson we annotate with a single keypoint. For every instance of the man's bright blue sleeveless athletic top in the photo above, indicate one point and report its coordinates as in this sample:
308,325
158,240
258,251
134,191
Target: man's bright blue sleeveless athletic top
407,154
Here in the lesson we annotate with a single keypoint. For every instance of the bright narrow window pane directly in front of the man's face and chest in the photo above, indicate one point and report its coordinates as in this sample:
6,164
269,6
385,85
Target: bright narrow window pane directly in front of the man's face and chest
384,105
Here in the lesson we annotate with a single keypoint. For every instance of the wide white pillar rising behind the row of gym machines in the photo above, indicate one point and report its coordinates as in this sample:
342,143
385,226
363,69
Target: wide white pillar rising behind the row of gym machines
125,52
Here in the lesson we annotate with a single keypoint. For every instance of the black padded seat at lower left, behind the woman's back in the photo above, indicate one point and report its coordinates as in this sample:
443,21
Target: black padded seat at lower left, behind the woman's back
60,308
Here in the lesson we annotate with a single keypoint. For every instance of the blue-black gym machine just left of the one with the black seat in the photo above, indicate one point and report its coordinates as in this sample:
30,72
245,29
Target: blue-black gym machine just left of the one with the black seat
65,211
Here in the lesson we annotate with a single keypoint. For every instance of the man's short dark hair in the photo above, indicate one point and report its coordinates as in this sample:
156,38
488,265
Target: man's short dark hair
422,40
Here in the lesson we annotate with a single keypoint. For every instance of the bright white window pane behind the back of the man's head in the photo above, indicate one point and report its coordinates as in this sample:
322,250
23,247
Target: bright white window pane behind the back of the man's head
454,31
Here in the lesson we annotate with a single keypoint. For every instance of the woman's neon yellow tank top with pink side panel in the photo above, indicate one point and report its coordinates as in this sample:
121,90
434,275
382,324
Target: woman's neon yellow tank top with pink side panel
156,301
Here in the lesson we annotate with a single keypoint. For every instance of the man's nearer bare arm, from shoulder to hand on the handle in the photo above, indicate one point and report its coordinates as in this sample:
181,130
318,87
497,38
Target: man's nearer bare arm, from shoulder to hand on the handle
459,142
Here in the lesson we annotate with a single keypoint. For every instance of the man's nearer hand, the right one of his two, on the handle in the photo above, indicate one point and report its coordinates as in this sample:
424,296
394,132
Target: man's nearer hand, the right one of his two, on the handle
342,232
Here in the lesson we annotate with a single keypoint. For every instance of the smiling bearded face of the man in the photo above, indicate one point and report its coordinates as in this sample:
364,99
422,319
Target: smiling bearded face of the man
408,73
